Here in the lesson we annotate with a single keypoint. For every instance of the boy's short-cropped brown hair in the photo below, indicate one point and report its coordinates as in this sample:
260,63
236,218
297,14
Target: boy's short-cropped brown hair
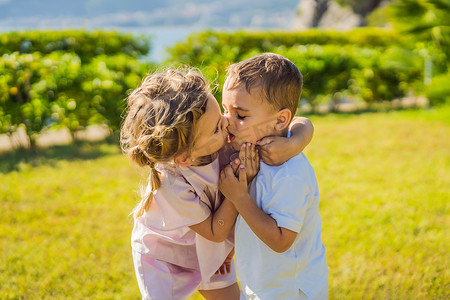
277,78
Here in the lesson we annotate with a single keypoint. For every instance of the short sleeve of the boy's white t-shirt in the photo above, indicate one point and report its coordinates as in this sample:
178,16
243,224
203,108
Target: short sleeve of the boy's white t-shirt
288,202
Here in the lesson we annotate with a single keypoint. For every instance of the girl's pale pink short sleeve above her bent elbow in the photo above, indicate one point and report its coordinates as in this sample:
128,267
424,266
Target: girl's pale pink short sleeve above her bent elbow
176,205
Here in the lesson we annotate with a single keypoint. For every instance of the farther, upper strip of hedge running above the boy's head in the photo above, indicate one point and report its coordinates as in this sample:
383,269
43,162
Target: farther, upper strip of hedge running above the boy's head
205,47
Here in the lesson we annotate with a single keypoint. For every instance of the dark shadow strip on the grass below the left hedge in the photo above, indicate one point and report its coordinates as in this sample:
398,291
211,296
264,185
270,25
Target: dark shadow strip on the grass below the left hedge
79,150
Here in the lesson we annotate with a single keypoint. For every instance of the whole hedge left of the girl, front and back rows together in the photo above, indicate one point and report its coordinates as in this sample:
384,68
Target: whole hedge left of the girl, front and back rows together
72,79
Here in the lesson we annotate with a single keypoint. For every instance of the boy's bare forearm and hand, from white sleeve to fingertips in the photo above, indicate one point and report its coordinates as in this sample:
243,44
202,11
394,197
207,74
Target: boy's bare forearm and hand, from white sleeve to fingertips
264,226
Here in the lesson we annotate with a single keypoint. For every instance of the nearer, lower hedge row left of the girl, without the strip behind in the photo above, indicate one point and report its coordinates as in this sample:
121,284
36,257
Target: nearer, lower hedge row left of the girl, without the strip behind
57,90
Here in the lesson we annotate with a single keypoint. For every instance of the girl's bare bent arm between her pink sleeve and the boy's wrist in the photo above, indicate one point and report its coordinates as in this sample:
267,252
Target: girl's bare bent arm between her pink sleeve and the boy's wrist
218,225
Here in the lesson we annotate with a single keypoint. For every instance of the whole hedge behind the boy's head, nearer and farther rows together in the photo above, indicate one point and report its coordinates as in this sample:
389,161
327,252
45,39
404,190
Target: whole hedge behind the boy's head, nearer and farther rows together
369,64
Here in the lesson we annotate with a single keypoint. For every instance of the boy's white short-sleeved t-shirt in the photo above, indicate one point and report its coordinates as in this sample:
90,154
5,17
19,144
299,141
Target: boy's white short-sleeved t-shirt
289,194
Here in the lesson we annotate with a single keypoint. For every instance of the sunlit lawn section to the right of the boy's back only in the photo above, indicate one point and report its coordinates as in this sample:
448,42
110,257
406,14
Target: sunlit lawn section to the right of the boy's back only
385,186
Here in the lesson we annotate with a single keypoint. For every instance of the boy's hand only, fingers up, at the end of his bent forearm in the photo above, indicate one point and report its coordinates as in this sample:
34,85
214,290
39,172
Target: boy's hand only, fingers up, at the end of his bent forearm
231,187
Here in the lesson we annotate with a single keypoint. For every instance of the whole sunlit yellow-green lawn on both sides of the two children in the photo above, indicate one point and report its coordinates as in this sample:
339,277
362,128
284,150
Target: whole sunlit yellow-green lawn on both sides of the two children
385,191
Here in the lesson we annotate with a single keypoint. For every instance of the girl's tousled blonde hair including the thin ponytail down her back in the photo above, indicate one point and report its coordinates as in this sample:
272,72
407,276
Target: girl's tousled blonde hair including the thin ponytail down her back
161,116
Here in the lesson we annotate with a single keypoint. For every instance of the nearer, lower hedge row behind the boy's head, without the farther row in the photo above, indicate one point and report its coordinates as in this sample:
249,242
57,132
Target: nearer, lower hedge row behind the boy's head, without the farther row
332,72
